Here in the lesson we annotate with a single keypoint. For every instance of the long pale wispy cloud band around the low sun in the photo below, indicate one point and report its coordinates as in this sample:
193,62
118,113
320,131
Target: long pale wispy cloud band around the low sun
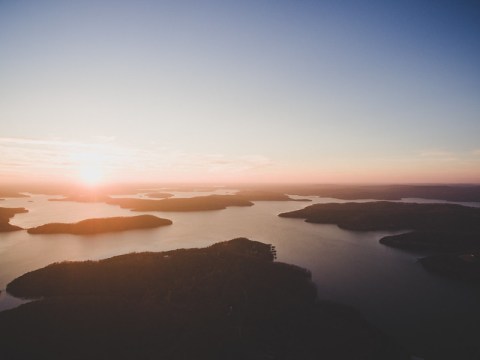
62,158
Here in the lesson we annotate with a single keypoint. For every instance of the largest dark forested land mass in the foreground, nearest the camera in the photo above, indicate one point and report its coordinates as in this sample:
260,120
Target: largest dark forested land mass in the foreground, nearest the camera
227,301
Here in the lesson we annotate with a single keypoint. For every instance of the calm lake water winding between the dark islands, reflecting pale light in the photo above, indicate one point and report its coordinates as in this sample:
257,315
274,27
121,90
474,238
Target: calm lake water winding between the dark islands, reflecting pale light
388,286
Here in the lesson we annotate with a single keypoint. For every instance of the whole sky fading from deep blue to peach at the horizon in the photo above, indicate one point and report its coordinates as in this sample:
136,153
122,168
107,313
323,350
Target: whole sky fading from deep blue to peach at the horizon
232,91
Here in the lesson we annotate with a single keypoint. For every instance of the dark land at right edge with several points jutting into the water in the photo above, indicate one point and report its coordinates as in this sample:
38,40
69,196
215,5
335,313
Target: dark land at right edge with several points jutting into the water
451,230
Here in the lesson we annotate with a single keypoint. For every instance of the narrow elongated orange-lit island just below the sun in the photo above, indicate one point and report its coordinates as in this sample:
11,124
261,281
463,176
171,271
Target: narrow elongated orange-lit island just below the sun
102,225
